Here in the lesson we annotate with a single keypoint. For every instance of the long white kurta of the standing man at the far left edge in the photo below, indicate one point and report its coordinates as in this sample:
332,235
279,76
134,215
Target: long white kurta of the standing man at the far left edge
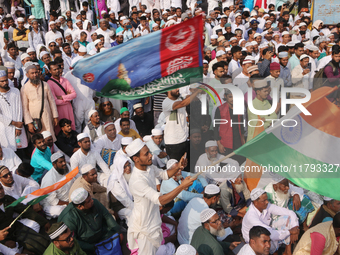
11,110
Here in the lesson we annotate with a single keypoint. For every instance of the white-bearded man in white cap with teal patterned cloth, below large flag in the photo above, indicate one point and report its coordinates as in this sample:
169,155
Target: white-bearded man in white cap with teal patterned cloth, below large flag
281,193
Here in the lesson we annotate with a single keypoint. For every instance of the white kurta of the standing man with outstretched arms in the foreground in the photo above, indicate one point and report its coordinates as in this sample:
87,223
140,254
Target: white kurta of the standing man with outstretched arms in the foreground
145,222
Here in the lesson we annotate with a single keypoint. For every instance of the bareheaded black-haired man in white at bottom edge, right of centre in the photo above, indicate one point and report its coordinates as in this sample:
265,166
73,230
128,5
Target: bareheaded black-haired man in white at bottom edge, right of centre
259,242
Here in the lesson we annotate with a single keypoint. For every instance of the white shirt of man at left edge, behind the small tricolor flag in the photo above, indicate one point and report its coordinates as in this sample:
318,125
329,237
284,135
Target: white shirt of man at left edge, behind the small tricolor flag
21,186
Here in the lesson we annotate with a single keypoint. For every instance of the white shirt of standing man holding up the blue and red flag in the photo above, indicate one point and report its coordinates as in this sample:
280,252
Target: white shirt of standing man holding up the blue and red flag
176,127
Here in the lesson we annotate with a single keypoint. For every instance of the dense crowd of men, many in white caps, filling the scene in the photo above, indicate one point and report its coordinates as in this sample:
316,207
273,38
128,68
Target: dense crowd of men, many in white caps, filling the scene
138,159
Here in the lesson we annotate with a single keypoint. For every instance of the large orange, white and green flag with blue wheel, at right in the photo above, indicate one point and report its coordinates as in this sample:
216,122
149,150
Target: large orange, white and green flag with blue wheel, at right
304,149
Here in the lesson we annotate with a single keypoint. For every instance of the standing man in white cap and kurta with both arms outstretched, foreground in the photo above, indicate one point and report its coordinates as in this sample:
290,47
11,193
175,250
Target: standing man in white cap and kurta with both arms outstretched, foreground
145,222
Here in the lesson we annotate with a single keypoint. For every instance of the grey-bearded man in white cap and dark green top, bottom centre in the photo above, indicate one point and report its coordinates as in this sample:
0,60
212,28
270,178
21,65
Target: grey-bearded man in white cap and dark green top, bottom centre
204,237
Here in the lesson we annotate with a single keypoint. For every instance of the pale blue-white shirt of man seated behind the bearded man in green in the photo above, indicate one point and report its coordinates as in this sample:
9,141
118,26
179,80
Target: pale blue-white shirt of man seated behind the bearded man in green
190,220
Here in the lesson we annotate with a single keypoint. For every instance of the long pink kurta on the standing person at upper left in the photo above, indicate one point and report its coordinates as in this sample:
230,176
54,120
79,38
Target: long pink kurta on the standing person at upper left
64,105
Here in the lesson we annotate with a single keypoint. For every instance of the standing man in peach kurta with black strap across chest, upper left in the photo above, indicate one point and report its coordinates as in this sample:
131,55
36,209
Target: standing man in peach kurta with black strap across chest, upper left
38,102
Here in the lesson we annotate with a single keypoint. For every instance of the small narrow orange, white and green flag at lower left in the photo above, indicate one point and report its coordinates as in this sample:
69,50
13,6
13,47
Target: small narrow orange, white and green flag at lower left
40,194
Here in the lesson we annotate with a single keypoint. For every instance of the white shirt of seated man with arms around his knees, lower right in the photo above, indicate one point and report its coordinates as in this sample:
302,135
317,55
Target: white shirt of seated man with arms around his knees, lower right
253,217
